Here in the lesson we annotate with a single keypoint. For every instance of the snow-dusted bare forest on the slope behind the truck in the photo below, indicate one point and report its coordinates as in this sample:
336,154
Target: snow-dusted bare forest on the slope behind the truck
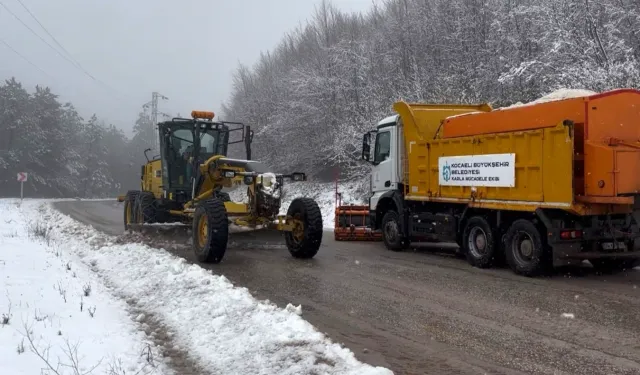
332,79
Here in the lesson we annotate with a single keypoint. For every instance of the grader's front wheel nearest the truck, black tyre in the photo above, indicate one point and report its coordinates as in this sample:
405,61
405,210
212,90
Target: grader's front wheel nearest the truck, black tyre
305,239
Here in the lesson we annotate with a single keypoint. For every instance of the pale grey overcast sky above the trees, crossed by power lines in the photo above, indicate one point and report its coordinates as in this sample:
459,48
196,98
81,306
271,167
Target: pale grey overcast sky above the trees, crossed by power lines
186,50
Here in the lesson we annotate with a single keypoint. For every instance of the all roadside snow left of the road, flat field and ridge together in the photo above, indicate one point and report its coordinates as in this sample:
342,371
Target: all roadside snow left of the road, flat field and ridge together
223,328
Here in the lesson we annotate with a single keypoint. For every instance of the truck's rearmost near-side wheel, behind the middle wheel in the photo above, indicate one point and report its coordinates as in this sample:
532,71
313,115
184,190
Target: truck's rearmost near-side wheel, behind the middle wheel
525,250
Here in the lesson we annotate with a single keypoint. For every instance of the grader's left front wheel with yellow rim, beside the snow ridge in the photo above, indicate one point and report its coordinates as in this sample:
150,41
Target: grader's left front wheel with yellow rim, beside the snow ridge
210,231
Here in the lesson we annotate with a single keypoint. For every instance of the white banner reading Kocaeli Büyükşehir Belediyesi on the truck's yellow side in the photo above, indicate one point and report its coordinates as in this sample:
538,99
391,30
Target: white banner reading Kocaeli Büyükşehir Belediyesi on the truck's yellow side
493,170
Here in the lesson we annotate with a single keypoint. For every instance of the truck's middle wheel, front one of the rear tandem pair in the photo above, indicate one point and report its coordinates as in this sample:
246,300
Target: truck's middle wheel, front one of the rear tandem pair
478,243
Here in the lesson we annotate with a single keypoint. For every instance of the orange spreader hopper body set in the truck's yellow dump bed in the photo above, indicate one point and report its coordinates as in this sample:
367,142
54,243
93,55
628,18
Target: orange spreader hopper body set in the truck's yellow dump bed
606,136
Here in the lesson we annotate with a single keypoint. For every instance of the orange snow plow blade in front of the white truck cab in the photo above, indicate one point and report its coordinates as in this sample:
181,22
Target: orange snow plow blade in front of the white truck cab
352,223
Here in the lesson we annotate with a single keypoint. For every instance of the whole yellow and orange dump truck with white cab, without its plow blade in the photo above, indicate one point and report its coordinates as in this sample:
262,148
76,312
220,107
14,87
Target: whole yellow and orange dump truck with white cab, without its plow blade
541,184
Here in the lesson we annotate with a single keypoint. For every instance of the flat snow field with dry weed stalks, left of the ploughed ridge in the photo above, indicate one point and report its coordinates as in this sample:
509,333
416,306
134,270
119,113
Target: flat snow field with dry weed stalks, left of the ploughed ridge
55,314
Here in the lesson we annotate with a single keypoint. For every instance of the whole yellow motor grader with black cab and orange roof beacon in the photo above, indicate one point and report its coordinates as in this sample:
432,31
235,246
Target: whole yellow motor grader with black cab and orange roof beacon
184,184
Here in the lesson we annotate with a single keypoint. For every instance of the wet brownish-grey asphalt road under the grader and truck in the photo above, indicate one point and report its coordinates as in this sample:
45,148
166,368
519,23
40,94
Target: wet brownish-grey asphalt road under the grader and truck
427,311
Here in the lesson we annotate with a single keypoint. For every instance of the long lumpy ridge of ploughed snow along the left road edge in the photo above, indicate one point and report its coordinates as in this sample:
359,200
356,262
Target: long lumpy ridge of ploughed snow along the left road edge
222,328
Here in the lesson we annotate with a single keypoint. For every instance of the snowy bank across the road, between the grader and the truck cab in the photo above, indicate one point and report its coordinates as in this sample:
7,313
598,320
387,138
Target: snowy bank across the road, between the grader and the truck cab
324,194
